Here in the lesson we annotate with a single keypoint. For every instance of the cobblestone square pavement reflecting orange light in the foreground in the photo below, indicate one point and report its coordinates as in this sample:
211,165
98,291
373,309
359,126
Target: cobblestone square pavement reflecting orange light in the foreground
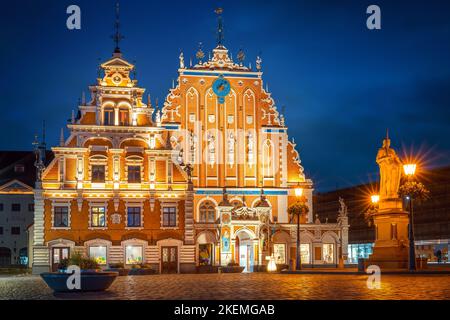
242,286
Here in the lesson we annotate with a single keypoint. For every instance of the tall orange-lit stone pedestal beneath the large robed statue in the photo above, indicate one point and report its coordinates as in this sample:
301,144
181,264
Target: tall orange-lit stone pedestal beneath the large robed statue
391,244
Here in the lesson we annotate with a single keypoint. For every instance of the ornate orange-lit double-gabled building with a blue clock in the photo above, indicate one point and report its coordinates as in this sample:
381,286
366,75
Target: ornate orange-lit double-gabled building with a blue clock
206,180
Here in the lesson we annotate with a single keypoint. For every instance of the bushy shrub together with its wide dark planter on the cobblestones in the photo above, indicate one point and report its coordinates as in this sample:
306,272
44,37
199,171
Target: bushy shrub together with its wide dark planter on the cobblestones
91,277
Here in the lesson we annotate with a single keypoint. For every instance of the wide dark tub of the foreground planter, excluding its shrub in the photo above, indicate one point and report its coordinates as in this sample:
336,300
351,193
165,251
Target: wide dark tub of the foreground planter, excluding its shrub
90,281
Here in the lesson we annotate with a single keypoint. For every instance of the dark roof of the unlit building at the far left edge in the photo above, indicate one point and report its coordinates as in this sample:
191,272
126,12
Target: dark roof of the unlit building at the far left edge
19,165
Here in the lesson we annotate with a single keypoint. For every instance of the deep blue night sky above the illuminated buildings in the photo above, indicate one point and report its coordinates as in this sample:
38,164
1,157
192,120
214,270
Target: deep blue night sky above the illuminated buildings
342,84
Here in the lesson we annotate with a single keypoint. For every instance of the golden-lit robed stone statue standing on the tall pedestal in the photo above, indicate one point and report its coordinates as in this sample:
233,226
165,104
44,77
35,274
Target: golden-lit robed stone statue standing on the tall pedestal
390,171
